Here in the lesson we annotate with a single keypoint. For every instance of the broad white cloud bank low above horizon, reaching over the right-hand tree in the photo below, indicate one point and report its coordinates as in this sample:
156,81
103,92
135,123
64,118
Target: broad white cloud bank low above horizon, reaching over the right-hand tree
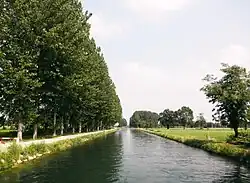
151,86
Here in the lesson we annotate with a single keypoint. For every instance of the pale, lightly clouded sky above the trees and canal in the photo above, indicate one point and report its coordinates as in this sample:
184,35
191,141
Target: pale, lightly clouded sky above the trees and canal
158,51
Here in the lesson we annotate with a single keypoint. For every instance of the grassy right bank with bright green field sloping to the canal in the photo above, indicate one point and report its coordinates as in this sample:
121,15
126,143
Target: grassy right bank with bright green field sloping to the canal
214,141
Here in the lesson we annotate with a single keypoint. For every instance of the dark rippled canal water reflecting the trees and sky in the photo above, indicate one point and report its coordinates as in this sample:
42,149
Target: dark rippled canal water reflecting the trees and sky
129,156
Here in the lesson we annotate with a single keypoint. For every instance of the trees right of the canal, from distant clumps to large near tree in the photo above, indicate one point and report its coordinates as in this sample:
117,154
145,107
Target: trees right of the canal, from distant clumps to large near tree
230,94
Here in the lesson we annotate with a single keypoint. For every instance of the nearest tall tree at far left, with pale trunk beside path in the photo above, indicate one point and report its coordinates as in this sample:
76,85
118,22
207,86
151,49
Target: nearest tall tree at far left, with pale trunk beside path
18,64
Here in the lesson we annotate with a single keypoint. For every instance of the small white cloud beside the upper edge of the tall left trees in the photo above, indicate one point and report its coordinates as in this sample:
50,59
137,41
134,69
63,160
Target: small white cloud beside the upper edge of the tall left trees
102,28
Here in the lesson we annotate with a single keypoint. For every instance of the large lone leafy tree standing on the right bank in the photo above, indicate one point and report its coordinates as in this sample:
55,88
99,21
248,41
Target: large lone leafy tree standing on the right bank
230,94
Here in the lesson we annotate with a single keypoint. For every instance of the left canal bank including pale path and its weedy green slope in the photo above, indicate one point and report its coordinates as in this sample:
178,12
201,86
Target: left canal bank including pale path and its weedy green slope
15,154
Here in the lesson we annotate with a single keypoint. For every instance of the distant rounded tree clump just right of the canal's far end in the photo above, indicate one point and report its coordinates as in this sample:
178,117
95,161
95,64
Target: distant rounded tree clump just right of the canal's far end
144,119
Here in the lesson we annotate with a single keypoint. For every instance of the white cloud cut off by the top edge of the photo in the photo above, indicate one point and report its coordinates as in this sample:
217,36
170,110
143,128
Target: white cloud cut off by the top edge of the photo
154,9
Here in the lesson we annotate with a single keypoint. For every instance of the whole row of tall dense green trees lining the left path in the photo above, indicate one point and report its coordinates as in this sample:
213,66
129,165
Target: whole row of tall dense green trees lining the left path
52,73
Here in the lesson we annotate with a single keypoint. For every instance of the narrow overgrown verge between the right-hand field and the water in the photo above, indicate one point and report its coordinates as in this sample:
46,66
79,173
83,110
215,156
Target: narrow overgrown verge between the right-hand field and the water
234,152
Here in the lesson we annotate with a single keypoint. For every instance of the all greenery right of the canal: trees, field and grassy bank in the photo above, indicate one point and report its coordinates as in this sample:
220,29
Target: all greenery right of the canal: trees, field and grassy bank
230,95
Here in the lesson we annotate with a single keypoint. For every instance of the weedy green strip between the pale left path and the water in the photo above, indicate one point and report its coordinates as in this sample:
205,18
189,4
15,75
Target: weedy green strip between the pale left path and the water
17,154
